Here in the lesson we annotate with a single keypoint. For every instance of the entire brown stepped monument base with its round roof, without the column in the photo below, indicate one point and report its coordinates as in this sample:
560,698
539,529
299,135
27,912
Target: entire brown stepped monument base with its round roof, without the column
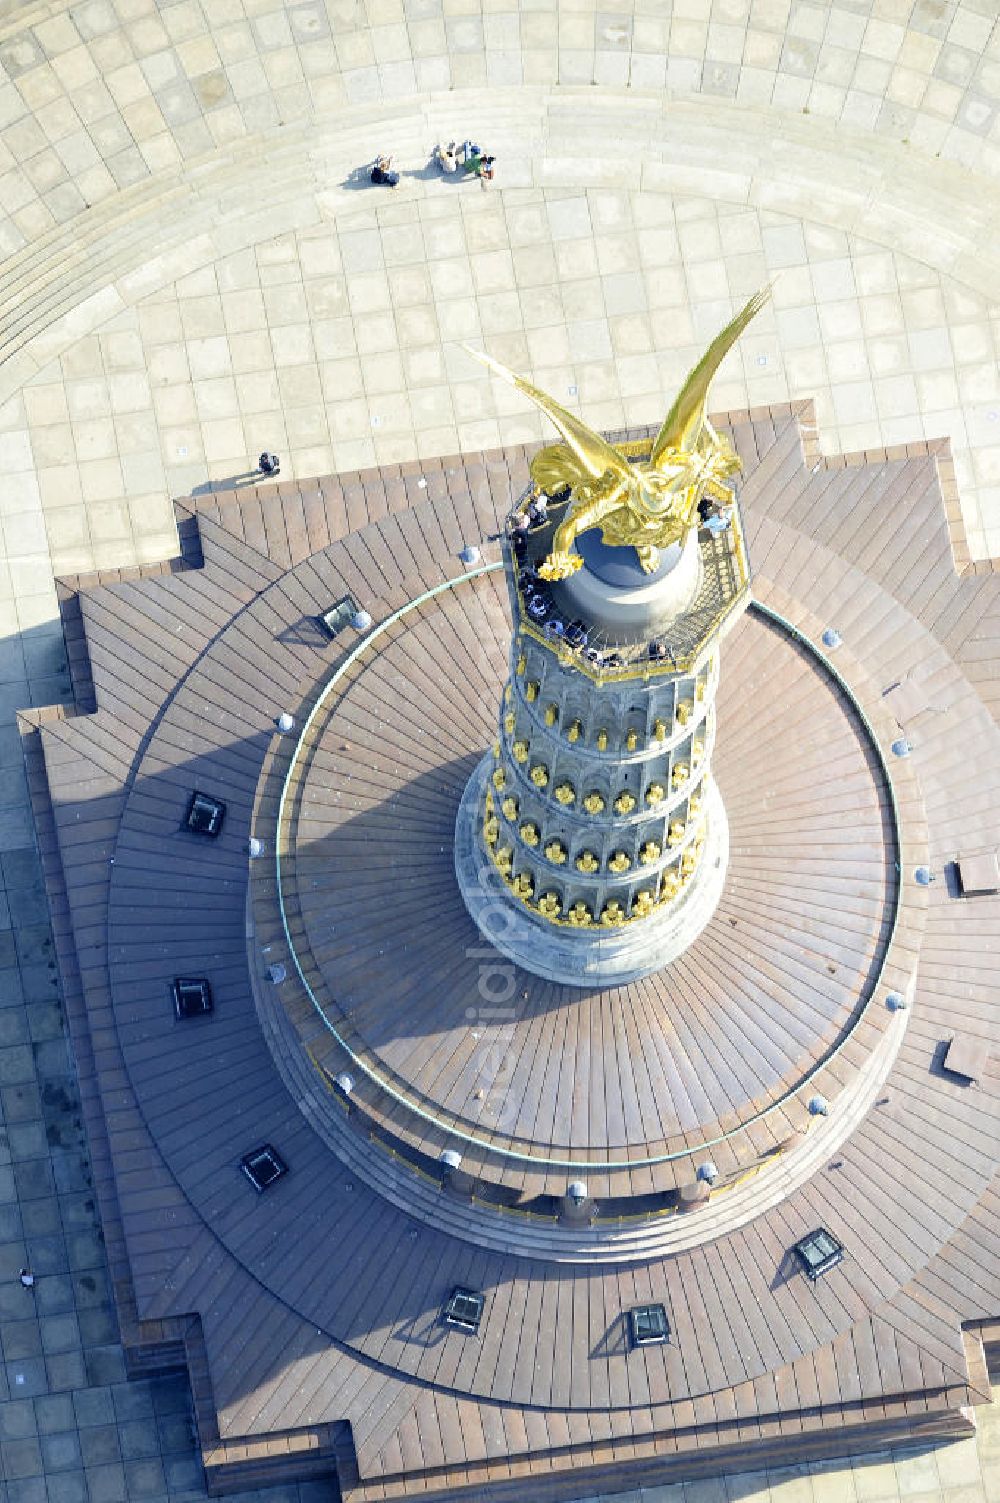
312,1313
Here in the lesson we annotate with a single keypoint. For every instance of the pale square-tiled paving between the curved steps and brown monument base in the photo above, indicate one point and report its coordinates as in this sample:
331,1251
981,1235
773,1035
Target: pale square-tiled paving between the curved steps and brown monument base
342,346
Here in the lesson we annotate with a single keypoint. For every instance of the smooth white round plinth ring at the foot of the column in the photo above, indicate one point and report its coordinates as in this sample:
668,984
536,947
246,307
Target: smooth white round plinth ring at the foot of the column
596,957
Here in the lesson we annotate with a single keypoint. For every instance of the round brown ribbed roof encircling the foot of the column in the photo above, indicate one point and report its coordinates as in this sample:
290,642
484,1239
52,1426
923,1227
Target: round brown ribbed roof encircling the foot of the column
557,1077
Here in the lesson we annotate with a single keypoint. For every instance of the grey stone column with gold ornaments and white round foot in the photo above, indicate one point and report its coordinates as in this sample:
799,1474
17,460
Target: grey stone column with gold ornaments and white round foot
592,842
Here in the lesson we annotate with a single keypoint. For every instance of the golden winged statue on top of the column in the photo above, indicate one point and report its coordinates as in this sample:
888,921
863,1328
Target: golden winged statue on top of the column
649,504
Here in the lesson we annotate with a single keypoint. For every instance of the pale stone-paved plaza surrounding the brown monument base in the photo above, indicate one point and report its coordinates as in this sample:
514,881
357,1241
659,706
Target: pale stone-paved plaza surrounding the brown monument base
193,268
